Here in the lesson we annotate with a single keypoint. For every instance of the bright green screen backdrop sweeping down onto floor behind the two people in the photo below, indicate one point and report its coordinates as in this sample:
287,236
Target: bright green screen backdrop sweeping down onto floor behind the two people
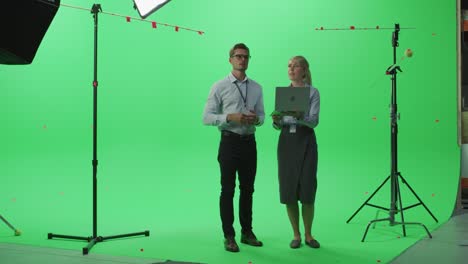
157,162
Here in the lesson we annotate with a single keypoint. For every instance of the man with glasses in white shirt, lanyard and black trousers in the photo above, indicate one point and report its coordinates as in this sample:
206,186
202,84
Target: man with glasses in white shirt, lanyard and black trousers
235,106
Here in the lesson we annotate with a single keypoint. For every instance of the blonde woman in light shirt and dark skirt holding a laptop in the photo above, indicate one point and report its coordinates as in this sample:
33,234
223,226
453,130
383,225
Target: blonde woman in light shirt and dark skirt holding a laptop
298,157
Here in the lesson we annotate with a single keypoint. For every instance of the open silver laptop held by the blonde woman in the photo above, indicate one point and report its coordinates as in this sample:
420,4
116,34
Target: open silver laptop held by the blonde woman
292,99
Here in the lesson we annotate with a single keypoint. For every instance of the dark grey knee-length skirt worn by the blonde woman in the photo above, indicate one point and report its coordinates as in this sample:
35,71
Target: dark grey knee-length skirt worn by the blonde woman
297,165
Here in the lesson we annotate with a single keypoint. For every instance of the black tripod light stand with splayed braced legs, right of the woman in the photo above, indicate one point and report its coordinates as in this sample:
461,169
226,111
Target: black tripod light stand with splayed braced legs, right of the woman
395,175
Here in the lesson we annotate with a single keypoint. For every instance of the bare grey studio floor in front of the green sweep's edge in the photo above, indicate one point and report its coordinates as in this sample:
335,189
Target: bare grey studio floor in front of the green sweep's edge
448,245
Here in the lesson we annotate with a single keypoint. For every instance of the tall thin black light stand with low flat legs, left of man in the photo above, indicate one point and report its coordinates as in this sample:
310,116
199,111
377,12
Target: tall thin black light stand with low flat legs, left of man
95,238
